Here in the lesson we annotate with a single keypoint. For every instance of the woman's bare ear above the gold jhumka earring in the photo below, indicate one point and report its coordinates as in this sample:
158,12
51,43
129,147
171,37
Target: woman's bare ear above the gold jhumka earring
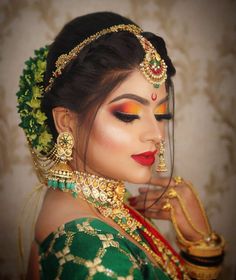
64,119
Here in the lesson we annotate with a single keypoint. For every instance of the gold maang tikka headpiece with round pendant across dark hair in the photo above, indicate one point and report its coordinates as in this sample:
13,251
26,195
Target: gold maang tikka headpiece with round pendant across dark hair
153,67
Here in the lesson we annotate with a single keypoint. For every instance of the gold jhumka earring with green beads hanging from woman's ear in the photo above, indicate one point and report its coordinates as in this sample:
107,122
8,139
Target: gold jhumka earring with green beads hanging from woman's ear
61,175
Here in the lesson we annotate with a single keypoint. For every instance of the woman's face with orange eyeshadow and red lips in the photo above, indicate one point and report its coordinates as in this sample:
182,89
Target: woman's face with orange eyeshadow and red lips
128,126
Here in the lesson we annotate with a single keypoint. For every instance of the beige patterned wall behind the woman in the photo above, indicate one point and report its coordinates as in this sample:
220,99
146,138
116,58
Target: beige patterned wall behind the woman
200,36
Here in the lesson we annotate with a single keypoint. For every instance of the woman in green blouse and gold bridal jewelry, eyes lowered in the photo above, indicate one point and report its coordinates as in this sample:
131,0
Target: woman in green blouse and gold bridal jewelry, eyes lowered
98,121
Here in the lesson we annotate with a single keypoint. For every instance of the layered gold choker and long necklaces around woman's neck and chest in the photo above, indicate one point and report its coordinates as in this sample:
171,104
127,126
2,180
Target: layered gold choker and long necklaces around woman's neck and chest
107,196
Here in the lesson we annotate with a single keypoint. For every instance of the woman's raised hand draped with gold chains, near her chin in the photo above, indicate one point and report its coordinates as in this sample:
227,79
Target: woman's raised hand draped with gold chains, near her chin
150,203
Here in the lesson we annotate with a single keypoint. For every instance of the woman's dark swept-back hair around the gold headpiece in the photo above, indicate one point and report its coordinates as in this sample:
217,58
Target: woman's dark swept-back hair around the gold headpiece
100,67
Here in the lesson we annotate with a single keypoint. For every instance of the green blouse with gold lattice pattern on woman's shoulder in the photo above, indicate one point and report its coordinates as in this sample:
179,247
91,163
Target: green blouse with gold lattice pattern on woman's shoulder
88,248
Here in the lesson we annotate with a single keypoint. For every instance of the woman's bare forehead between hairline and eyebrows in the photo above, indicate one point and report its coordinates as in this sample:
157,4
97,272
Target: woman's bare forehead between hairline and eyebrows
138,85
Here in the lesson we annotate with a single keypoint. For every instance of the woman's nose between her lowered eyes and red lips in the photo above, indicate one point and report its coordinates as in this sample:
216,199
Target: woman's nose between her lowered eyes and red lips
153,131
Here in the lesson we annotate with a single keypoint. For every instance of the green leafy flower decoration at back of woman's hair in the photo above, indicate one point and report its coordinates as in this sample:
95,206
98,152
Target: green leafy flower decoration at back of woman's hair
30,94
